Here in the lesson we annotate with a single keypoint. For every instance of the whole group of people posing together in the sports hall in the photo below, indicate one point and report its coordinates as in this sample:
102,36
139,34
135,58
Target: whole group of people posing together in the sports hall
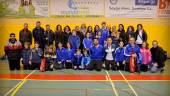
85,48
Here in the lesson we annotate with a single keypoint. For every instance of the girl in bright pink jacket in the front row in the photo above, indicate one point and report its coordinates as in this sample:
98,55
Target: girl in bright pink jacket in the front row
146,56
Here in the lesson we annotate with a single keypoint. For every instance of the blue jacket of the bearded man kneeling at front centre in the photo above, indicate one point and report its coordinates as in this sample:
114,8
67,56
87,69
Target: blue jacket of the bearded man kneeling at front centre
97,53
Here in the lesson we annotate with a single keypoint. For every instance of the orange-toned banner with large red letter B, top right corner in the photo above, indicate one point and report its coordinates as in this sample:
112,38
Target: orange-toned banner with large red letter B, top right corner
164,8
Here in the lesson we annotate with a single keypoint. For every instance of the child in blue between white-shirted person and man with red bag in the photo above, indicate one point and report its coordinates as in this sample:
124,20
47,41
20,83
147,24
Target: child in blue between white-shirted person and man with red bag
120,57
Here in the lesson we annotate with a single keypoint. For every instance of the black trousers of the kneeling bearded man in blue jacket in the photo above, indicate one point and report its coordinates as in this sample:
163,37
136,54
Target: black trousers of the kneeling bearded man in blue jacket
95,64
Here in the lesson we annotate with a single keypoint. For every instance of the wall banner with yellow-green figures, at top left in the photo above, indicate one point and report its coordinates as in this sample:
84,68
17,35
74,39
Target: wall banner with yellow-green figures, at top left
25,8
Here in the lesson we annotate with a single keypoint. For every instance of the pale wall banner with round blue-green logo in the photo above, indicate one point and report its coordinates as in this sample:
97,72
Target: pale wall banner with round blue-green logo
77,7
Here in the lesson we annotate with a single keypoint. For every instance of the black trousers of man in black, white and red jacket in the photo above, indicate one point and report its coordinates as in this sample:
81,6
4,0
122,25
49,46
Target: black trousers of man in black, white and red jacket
14,64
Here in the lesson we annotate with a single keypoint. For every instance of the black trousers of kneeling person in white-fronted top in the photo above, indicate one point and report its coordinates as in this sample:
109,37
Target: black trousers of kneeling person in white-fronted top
110,65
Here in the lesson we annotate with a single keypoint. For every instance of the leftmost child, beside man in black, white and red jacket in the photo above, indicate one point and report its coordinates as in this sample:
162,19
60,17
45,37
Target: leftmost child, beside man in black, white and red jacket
25,56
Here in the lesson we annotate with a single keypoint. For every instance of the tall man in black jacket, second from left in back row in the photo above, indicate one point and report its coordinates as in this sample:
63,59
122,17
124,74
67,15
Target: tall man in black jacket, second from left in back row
38,34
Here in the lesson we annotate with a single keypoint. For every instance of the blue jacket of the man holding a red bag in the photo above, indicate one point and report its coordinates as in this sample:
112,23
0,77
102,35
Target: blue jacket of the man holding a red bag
129,50
